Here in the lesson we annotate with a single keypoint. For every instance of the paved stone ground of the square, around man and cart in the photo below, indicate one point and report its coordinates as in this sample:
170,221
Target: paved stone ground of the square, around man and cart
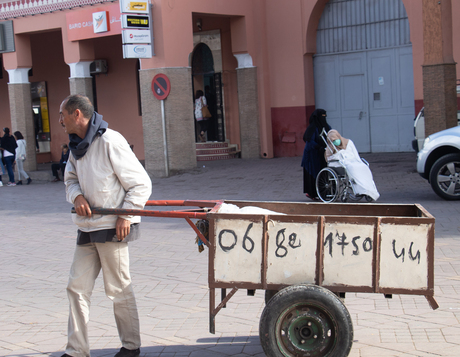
170,276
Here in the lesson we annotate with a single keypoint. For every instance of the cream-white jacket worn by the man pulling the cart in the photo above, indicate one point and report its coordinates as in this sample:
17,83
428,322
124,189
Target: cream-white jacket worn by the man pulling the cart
109,175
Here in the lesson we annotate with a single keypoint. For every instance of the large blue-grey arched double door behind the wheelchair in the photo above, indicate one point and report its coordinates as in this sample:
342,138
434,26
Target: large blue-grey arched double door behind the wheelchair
364,74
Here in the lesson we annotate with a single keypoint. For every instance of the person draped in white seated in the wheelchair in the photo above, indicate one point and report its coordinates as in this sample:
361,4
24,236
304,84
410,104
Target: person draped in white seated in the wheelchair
341,152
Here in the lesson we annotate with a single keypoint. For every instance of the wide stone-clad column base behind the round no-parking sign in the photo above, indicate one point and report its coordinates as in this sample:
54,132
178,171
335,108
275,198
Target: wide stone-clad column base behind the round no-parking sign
180,151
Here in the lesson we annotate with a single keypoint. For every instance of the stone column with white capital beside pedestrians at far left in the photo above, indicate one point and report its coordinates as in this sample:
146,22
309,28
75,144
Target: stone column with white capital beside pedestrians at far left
21,112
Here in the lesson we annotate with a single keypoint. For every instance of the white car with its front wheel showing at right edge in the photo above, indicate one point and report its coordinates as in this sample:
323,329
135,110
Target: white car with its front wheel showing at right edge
439,162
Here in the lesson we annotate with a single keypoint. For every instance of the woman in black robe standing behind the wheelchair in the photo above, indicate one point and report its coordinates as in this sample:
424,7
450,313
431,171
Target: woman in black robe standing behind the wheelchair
313,155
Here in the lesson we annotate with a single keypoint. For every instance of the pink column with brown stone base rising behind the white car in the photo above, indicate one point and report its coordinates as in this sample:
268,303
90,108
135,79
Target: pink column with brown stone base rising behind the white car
439,67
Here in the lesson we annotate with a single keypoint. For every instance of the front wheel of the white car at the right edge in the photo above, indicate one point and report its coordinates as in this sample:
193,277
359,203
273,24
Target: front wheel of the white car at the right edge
445,177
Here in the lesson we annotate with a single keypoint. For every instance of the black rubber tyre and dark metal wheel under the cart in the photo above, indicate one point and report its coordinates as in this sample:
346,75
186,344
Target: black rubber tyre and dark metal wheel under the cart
305,320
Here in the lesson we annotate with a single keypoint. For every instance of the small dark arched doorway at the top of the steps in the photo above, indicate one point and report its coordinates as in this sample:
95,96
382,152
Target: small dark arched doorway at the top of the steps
205,78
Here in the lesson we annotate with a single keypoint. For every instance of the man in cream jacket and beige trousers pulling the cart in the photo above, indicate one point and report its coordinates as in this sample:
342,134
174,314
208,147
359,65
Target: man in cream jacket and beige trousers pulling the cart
102,171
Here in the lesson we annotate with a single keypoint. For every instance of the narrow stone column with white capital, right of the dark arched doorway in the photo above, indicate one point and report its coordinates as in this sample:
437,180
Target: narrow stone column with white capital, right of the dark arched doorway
248,102
